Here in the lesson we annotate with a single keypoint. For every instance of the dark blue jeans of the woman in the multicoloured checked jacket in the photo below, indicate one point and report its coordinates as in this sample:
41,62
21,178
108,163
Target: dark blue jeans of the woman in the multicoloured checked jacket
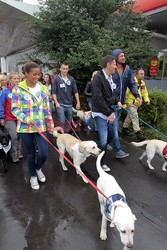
33,141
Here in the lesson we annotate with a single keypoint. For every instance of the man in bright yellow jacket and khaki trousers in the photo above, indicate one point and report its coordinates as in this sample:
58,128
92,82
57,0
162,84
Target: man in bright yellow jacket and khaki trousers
133,104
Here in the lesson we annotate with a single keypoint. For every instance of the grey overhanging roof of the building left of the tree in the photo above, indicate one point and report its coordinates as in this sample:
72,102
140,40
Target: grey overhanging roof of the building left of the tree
13,27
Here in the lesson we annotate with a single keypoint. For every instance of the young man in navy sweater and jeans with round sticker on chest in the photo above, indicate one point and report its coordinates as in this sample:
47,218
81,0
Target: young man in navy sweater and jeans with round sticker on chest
63,88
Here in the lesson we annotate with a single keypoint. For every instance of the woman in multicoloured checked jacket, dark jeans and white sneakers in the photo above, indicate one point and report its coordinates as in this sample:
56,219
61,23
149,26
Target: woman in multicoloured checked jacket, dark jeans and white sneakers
30,105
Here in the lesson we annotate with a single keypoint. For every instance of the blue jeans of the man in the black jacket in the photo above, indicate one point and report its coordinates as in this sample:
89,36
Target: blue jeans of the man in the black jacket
107,132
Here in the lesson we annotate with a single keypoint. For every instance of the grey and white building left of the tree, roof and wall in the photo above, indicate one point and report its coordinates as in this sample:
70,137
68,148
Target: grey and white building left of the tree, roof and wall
14,40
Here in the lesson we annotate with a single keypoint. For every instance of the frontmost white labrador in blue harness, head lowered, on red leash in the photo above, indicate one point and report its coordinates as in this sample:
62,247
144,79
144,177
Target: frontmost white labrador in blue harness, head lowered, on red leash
115,208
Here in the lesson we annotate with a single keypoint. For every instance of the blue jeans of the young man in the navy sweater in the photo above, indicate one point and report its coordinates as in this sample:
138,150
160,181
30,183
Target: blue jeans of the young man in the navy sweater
64,115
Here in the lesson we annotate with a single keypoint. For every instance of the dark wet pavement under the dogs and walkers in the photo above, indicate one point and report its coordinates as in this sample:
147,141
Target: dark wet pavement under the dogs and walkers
64,214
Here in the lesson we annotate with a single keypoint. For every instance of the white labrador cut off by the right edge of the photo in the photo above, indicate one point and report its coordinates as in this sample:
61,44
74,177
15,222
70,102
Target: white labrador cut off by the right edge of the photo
152,147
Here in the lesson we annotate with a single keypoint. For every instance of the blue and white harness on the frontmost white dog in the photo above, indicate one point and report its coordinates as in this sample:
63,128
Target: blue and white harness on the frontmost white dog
109,208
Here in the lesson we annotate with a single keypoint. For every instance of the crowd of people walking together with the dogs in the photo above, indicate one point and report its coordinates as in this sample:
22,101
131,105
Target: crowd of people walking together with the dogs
27,103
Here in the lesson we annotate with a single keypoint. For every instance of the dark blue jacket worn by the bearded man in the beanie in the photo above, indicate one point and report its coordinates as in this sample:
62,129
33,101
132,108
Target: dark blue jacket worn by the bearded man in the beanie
124,81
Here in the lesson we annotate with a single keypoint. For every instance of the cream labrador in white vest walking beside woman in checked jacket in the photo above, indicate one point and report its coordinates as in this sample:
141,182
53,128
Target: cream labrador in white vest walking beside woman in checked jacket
78,150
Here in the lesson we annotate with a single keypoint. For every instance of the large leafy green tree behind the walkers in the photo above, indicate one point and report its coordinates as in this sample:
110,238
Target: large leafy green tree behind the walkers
82,31
